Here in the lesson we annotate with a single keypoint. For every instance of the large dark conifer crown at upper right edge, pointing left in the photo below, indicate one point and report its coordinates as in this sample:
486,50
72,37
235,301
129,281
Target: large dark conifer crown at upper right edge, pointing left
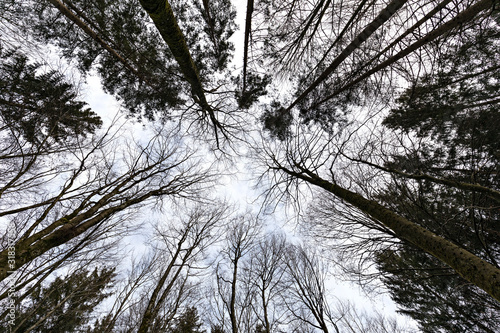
459,104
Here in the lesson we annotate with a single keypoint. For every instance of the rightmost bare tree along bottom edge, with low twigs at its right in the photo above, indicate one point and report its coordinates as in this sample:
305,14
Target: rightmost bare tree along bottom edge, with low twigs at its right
312,307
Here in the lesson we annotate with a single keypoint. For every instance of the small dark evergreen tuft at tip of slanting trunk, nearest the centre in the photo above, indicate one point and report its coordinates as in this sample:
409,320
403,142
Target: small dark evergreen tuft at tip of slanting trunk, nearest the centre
277,121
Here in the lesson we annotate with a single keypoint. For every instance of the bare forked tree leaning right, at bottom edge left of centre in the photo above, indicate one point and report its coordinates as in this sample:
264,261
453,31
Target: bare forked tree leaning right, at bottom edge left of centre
183,244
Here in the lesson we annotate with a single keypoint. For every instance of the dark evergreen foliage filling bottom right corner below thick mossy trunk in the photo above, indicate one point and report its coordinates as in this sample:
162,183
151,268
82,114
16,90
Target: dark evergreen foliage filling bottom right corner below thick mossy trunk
432,294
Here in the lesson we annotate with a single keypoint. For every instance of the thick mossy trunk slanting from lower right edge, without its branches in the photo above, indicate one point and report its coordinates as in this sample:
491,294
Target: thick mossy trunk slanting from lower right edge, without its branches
470,267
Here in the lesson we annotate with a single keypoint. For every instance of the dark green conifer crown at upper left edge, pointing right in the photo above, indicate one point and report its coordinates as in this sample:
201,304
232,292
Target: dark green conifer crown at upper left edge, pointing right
36,106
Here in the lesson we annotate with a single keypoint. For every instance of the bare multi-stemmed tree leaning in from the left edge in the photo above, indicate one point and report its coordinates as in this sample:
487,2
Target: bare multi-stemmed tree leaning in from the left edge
100,180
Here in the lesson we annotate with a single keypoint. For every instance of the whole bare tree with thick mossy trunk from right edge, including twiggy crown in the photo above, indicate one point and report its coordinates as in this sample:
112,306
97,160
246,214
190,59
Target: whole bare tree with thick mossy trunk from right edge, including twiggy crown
314,163
